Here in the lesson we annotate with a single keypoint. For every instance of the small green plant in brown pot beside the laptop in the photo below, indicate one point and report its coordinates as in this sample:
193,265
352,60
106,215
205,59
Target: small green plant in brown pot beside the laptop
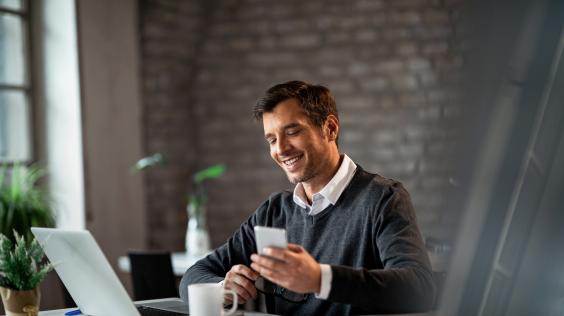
22,268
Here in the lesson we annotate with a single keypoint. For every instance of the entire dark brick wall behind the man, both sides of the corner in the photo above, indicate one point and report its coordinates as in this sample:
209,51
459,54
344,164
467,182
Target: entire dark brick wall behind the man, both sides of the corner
389,64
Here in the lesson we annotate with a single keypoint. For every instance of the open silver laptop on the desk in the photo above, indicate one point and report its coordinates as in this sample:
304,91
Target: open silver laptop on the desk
89,278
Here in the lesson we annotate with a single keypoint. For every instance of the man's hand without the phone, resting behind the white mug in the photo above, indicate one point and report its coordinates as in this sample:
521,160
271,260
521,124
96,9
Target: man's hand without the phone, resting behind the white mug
241,279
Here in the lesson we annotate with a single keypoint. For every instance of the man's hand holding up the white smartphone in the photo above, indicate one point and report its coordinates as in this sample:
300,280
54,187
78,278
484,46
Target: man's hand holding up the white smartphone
293,268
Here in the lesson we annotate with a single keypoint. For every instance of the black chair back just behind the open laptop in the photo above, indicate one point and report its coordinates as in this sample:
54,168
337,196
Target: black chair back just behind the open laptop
152,275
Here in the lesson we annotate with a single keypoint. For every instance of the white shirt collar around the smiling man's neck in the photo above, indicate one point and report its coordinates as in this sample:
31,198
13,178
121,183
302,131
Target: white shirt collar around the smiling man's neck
333,189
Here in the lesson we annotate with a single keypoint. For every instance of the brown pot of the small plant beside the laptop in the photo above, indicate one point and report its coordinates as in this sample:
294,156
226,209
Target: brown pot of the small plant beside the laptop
20,303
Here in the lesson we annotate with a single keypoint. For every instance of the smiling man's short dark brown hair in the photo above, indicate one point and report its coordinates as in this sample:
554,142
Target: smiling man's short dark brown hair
316,100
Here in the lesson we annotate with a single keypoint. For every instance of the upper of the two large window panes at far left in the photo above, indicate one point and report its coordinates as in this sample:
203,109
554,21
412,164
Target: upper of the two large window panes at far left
12,54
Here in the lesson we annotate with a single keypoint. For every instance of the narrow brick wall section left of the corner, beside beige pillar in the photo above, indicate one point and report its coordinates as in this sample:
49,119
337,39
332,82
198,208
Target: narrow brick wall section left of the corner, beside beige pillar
168,42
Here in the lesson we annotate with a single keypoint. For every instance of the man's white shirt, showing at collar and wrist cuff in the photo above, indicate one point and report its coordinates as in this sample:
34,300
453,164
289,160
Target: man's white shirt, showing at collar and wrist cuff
329,195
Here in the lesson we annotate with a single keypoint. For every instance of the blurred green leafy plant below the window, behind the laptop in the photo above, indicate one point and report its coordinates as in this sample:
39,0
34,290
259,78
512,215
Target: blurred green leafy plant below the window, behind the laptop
23,203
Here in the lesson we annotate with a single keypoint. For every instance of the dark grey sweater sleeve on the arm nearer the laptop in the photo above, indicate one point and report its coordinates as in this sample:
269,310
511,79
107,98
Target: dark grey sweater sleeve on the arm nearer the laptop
214,267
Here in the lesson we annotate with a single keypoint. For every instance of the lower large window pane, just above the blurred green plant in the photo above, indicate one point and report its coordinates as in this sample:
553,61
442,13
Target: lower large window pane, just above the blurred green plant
14,126
